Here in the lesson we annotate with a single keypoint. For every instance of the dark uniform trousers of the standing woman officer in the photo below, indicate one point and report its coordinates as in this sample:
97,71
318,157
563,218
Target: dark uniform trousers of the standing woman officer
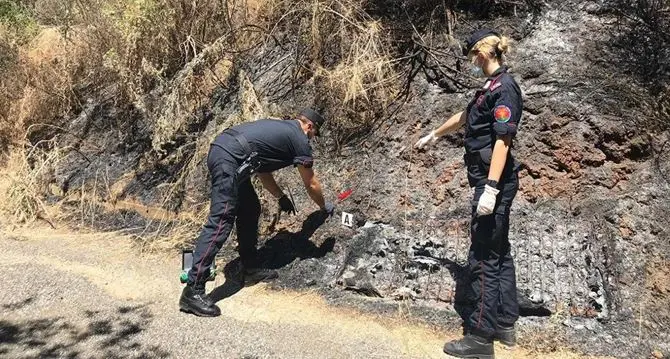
492,288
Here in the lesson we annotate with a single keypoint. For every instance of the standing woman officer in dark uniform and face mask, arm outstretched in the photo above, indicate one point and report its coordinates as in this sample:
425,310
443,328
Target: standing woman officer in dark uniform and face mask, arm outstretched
491,120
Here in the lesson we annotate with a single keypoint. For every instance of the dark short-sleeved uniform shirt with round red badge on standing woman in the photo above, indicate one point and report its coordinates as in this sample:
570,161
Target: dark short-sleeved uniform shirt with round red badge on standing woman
495,111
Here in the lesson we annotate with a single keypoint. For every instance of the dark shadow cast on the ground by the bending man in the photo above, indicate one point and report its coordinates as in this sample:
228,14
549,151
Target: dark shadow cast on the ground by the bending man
279,251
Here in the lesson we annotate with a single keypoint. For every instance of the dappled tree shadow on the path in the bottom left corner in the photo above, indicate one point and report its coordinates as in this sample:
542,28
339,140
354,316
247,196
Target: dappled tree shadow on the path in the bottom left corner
108,335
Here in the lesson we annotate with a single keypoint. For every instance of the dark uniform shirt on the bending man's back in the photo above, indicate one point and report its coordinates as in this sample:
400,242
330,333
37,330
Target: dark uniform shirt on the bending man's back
279,143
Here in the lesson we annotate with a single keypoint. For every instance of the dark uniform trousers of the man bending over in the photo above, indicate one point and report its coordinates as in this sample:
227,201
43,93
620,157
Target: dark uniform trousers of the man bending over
231,203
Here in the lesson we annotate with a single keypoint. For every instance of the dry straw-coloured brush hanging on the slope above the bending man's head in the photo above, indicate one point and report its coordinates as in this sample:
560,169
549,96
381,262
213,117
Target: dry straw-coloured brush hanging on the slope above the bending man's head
347,56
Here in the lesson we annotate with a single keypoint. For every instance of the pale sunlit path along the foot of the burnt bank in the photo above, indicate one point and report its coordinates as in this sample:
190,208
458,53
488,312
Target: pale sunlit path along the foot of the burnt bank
92,296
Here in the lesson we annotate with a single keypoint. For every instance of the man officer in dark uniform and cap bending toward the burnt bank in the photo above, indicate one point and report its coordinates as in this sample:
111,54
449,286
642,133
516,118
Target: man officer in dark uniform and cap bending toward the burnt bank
258,147
